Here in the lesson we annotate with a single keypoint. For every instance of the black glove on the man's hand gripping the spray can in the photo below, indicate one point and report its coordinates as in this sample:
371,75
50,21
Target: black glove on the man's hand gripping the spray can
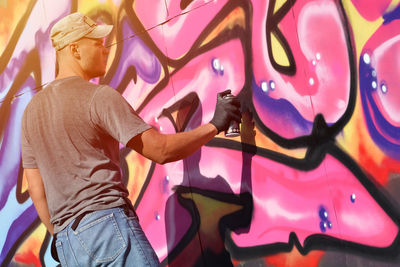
226,110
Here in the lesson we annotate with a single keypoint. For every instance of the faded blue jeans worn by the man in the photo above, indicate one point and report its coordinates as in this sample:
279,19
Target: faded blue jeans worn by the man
105,238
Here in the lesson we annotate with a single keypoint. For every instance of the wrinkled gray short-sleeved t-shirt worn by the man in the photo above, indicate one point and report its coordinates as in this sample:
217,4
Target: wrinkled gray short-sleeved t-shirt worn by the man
71,131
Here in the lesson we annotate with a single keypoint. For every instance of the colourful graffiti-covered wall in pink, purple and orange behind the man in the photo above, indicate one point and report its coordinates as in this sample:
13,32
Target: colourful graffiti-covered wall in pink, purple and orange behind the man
314,178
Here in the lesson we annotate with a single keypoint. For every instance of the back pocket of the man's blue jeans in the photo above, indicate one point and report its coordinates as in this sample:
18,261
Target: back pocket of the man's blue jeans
101,238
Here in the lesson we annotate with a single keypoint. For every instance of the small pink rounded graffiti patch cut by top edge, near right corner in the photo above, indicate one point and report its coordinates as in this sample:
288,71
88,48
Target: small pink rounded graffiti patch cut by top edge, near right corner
371,9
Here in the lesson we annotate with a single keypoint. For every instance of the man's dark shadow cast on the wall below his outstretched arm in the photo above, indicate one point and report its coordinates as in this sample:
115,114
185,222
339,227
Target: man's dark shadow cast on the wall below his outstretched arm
203,210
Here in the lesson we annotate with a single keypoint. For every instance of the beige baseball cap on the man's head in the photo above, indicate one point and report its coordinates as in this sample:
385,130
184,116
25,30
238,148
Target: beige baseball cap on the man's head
75,26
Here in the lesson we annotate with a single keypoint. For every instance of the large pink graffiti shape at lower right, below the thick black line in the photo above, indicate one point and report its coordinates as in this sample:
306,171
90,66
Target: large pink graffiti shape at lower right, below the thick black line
288,200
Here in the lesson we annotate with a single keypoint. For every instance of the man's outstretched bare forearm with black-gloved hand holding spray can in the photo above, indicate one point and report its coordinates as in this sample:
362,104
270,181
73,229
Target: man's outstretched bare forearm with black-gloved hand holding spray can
163,148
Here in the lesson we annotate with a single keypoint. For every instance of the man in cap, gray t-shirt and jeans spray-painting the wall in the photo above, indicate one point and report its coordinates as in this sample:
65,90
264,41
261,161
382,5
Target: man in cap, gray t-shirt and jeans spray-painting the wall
71,132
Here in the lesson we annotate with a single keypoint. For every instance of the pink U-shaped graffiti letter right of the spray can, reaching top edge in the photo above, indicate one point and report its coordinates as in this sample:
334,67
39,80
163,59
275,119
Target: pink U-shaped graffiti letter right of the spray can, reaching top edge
320,53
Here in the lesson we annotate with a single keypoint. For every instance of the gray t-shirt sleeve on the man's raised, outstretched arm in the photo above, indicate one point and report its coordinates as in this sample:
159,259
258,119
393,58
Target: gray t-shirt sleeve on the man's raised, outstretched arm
110,111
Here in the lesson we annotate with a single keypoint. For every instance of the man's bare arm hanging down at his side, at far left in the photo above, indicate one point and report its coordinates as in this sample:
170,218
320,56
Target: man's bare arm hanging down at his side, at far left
38,196
